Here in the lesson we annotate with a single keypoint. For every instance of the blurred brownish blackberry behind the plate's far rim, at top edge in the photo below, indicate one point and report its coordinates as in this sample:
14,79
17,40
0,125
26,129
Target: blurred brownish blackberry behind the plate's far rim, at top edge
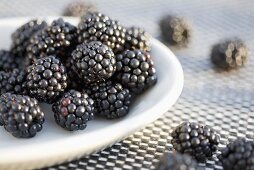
78,8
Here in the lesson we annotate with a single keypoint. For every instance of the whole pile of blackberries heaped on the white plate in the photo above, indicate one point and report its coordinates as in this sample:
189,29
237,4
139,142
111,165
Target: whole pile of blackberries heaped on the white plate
96,68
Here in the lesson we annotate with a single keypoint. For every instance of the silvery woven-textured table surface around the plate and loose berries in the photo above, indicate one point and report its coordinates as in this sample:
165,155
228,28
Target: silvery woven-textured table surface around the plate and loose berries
223,100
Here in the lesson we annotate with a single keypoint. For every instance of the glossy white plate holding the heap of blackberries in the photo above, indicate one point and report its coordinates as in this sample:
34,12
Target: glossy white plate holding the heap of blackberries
54,145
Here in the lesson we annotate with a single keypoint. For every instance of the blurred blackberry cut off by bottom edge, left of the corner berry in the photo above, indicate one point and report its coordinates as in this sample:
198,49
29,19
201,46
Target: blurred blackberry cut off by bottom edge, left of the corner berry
176,161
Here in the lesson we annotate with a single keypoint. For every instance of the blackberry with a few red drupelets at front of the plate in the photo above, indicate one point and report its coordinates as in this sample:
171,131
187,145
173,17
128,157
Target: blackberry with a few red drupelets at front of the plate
73,110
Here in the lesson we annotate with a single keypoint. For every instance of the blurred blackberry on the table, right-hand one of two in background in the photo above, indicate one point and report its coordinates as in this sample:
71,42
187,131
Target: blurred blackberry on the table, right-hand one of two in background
229,54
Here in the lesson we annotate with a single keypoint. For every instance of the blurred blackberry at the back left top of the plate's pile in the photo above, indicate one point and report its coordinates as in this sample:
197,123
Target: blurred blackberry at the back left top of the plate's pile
20,38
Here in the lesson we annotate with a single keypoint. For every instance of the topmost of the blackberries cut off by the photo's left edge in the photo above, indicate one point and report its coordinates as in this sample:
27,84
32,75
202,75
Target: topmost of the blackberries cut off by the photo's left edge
8,61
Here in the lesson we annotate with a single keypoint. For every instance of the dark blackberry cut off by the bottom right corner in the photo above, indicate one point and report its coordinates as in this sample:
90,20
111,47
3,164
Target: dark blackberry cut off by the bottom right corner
238,155
